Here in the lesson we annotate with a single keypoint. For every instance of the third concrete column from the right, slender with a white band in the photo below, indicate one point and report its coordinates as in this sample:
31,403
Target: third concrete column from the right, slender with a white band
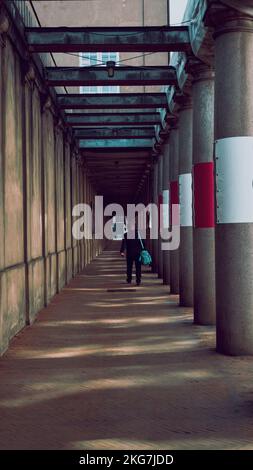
185,175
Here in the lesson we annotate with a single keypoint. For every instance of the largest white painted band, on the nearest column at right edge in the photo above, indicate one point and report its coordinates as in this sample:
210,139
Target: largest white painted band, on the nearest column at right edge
234,180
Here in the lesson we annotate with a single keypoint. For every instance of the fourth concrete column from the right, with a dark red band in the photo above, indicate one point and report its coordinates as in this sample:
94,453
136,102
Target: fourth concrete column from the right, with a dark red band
174,199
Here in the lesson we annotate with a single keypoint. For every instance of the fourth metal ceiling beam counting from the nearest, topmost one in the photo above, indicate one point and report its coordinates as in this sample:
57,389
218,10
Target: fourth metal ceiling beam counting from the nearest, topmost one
110,119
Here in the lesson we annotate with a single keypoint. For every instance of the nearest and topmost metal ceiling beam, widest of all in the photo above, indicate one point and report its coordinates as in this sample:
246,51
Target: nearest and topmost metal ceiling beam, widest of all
126,39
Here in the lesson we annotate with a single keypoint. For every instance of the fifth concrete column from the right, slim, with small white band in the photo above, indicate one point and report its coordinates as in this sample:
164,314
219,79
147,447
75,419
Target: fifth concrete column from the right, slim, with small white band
166,184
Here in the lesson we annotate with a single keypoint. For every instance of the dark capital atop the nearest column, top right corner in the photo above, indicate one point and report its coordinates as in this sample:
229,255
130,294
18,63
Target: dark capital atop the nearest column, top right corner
229,16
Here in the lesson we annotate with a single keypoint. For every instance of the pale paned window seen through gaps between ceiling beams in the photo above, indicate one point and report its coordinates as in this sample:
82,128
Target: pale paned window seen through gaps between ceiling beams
88,59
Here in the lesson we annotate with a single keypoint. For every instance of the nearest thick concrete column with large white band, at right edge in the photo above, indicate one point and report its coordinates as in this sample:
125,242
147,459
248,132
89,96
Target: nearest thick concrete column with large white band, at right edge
234,154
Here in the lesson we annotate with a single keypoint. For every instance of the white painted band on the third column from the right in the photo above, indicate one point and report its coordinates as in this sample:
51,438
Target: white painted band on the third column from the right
185,199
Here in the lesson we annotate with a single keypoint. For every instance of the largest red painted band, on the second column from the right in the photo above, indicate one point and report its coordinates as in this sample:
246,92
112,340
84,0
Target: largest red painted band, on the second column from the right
203,183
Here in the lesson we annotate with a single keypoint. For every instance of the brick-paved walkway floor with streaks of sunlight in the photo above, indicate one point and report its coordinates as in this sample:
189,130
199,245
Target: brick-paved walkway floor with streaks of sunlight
122,370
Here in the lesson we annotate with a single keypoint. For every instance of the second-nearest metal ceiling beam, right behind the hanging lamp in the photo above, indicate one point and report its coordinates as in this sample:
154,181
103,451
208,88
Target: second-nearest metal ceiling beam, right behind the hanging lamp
98,76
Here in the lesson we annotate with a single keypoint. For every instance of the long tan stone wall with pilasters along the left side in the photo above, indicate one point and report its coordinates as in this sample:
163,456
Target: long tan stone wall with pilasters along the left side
41,178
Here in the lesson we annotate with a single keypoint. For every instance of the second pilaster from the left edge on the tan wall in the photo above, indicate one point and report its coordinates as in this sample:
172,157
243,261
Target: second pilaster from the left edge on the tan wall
32,187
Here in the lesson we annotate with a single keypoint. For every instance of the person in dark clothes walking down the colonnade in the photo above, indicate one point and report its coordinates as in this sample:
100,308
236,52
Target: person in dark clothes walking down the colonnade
133,245
